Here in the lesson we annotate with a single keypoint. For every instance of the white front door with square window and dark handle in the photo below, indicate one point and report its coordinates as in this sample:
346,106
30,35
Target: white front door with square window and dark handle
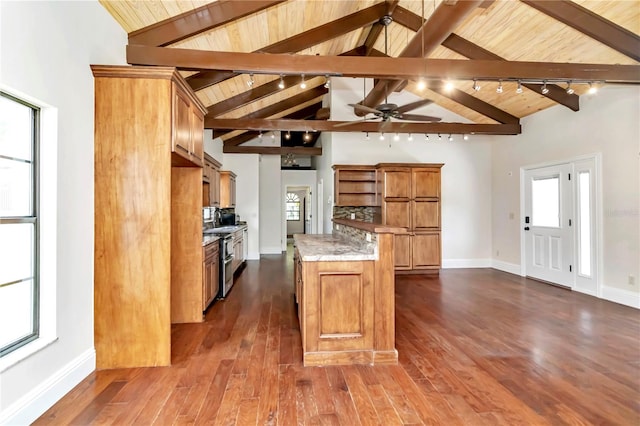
548,224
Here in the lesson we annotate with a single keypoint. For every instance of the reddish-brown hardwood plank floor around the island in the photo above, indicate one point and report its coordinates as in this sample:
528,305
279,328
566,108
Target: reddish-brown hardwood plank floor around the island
476,347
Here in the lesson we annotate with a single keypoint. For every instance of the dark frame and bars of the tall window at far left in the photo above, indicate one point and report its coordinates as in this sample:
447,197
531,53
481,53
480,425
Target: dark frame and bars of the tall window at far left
34,219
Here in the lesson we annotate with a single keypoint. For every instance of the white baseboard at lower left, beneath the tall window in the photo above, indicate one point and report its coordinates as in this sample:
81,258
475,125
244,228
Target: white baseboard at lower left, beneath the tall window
31,406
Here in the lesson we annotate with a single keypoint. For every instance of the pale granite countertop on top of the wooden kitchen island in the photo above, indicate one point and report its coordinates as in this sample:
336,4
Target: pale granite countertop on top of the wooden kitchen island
333,247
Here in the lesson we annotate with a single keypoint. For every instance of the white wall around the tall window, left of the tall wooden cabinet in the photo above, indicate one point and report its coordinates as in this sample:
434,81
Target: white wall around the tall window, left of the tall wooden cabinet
45,52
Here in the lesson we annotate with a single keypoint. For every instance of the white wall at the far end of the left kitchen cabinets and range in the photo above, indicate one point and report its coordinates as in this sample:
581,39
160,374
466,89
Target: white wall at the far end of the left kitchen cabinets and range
247,169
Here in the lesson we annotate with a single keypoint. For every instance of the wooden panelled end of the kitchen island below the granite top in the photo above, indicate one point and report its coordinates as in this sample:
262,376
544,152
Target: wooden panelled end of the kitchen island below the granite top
339,302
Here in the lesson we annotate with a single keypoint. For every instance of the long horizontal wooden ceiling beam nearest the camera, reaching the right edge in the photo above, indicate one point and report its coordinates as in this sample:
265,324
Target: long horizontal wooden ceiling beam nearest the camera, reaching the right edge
376,67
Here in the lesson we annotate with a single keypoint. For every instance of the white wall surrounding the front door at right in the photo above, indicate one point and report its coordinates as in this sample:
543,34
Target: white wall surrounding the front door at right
607,123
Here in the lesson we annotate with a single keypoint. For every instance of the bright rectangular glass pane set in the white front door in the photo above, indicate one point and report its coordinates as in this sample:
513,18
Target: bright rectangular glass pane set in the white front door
545,201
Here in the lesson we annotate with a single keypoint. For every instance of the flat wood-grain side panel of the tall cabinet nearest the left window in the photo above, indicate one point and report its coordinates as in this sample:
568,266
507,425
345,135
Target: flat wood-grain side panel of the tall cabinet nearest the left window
132,236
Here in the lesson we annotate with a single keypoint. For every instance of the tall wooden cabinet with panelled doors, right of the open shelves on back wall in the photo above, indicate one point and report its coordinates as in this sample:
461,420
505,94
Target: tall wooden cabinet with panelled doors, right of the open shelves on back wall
410,198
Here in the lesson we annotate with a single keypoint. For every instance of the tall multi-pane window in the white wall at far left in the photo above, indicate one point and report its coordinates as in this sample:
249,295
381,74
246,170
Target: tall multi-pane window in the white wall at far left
19,289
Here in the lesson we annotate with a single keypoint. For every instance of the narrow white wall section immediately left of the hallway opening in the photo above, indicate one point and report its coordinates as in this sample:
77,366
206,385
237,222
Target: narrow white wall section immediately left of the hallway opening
270,201
